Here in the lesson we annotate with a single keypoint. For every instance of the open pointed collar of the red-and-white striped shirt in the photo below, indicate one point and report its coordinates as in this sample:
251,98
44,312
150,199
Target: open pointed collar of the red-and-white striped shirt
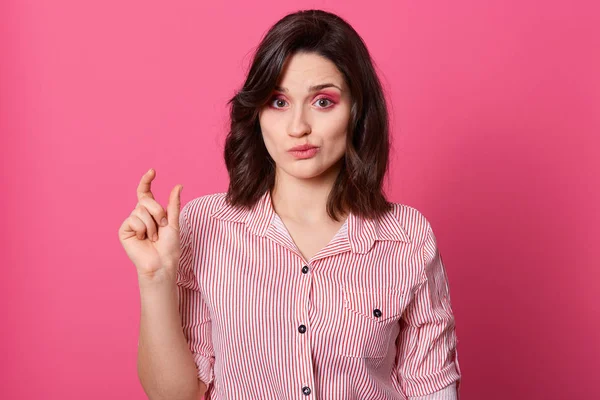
362,232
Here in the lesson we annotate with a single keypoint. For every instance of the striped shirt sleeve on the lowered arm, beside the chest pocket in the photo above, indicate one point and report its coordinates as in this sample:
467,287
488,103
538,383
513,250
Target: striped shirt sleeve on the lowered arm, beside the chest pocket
426,359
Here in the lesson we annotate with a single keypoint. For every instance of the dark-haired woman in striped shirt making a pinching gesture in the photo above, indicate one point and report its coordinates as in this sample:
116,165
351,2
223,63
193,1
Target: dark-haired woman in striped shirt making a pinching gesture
301,281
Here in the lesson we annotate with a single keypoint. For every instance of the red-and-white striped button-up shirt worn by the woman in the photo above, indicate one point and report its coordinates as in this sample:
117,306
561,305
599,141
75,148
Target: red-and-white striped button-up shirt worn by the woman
367,317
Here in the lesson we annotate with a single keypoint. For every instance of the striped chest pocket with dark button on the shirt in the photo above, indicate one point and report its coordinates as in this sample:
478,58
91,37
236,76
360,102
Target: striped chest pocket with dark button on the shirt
370,321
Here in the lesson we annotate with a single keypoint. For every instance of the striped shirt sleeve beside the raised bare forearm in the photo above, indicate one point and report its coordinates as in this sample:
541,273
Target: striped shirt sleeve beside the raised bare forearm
195,315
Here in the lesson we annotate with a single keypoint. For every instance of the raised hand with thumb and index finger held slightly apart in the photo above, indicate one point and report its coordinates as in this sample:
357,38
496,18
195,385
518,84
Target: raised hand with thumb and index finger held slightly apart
150,235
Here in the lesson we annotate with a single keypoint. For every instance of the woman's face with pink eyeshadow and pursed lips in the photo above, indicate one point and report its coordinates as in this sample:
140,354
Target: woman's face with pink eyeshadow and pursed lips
300,114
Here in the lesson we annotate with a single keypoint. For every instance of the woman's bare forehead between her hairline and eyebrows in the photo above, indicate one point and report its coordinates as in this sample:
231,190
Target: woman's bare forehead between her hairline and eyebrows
302,70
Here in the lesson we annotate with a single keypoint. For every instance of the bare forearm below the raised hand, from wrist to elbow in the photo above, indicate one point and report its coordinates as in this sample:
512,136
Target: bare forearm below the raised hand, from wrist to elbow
165,365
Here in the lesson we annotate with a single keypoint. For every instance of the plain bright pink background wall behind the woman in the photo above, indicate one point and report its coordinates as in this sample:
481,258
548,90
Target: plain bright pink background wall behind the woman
495,118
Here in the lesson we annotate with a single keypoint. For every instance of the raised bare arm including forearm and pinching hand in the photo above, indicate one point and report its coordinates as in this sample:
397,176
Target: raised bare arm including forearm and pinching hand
151,239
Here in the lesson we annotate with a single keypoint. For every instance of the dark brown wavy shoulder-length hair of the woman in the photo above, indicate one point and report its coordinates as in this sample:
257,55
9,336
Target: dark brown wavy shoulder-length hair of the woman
358,186
